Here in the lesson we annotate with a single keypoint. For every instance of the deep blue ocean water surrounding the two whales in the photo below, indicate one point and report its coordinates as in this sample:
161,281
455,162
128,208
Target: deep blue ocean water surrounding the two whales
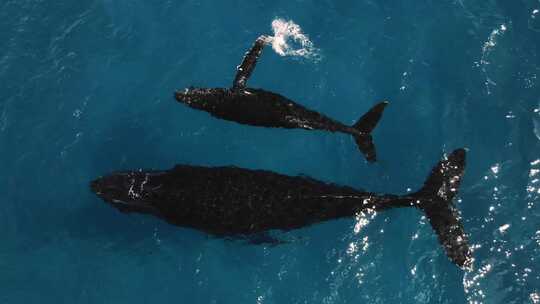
86,89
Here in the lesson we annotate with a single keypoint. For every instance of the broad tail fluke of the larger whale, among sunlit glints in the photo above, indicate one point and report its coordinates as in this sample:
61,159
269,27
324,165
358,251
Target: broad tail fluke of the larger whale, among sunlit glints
435,199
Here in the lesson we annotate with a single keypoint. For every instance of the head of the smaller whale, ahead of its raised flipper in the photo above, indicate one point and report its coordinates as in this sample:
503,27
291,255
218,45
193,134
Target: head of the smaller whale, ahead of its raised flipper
202,98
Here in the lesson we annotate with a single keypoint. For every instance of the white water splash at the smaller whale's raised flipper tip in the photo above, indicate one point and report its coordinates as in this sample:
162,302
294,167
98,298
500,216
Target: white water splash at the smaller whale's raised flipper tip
288,40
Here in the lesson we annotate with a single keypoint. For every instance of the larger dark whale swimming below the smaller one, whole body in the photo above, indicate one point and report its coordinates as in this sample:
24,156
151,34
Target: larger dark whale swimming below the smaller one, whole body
236,202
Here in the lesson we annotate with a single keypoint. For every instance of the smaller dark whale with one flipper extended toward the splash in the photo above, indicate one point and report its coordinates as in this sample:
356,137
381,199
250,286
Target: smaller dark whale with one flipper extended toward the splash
262,108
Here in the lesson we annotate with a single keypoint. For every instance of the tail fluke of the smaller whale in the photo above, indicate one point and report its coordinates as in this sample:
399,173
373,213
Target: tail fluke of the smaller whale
365,125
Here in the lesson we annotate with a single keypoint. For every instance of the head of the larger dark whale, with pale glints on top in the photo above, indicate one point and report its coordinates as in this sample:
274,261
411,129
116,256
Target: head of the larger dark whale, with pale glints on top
126,191
